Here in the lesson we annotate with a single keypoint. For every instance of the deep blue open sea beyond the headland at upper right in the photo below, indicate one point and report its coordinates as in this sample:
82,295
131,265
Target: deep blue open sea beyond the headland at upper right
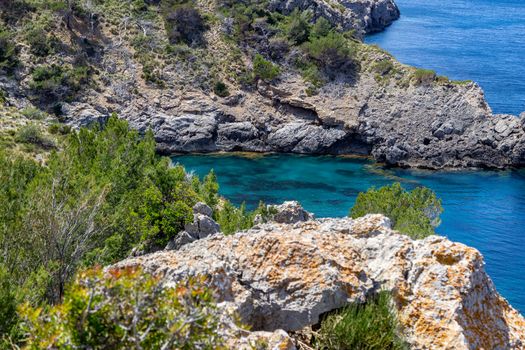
480,40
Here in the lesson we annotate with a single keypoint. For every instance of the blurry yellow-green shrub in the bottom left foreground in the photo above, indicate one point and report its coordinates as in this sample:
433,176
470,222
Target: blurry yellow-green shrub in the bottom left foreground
126,309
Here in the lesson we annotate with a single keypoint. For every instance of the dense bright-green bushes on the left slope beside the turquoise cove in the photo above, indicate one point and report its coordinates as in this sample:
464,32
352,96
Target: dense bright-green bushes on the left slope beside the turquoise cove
103,194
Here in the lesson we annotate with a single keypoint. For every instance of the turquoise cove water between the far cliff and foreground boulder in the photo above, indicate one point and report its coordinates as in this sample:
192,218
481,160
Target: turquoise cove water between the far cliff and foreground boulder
482,209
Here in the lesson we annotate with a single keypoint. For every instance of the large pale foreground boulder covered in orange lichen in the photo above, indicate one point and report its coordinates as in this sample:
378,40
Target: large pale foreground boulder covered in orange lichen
287,275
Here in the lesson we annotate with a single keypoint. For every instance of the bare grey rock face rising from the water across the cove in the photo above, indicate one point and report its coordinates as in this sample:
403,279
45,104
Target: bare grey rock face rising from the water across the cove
433,126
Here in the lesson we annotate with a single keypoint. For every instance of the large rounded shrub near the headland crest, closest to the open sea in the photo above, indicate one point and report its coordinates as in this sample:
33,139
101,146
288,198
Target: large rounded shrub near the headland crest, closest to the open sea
331,50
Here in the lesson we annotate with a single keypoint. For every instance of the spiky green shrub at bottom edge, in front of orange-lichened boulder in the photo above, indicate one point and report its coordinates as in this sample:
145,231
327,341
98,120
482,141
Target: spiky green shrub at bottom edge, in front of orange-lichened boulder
371,326
